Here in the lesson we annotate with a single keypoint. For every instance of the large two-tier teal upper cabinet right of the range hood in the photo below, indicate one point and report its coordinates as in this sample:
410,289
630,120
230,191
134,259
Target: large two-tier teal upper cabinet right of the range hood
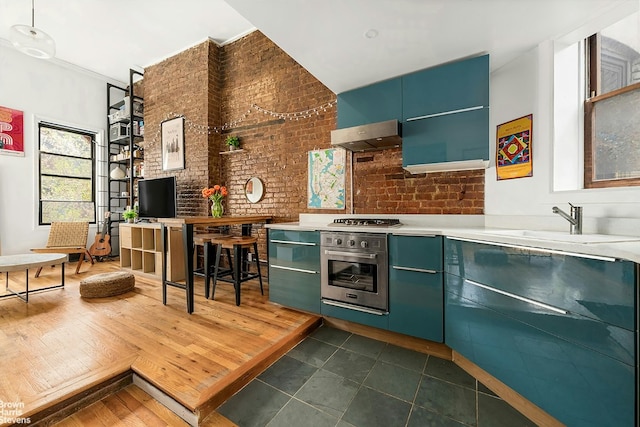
446,116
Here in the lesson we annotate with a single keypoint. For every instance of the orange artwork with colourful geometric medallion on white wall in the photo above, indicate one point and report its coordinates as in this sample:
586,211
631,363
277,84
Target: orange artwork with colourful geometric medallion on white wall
514,155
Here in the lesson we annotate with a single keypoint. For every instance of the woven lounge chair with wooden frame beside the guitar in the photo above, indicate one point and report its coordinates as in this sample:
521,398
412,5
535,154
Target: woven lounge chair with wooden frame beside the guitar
67,238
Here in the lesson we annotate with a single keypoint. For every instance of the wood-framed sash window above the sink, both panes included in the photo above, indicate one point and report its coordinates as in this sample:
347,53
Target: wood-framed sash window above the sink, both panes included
613,118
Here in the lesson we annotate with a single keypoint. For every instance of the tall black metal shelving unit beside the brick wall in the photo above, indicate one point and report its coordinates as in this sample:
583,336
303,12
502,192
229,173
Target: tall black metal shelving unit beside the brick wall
125,135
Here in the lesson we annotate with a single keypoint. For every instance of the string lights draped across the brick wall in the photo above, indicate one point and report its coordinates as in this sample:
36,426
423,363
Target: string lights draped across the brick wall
200,129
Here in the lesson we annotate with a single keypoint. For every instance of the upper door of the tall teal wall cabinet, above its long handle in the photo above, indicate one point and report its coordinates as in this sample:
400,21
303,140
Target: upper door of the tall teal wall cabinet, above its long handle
450,87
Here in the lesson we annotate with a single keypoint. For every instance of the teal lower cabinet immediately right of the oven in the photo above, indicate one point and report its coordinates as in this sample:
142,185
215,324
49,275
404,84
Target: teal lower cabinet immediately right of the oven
416,286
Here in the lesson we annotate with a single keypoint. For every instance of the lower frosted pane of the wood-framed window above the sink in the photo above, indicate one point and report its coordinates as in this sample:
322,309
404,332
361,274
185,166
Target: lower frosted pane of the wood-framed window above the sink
616,148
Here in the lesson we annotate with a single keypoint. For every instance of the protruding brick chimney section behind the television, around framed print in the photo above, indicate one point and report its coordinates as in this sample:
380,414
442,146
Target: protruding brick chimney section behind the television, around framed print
181,85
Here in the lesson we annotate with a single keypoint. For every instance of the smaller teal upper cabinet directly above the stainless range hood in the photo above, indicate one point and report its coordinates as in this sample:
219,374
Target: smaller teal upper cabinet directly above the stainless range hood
370,104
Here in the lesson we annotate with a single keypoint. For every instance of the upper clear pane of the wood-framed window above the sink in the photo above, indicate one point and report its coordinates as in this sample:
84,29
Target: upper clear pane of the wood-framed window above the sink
619,55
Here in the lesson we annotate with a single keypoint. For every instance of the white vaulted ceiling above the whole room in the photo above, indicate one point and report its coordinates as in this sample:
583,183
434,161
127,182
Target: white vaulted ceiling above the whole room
344,43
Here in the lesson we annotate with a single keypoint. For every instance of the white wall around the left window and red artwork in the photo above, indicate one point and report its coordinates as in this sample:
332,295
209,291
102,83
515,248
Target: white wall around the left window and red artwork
45,90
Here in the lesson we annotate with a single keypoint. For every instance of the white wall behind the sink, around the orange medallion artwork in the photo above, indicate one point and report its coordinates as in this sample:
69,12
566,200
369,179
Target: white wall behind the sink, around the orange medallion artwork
526,86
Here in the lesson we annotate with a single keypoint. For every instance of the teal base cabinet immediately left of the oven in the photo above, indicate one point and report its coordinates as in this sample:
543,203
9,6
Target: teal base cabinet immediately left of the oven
294,269
